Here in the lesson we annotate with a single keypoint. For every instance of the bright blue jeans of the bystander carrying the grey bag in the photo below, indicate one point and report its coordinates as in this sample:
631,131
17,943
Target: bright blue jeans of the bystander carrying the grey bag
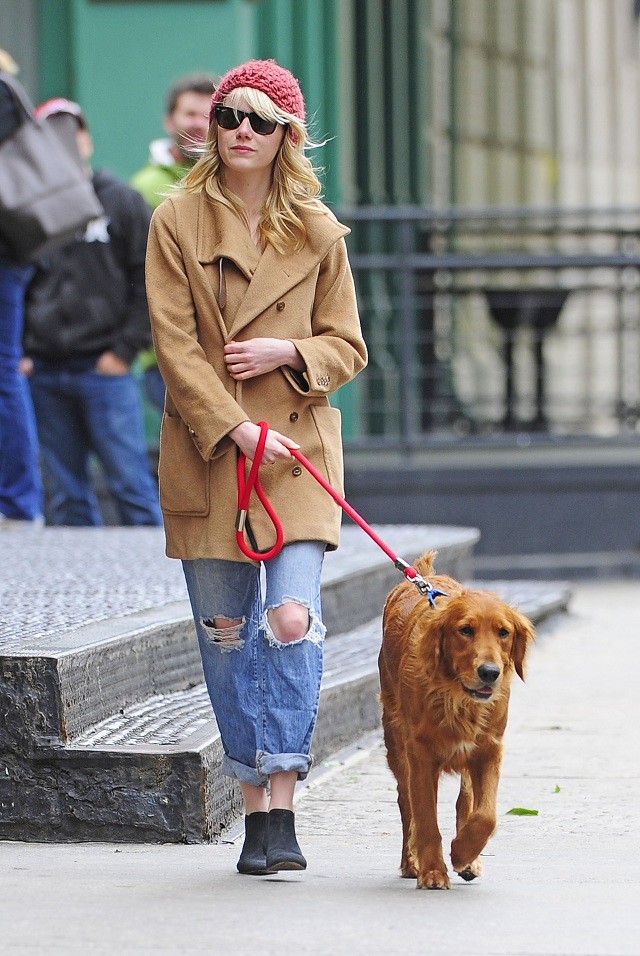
20,484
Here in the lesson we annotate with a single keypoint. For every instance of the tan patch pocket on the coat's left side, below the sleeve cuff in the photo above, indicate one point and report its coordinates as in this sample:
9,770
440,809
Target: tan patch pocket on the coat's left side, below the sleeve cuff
183,475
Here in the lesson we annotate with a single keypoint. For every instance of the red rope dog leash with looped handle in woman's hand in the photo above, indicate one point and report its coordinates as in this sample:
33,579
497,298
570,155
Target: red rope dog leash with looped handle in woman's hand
247,483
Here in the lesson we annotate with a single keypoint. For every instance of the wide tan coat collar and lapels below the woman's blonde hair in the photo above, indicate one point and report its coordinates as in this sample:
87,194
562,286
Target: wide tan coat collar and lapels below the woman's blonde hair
271,275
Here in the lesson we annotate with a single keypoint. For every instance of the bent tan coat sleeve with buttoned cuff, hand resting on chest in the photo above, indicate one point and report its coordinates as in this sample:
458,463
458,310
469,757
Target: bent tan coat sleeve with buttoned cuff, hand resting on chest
335,352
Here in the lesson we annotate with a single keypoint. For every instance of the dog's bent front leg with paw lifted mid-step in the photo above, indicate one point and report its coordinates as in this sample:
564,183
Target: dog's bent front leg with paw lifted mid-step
472,837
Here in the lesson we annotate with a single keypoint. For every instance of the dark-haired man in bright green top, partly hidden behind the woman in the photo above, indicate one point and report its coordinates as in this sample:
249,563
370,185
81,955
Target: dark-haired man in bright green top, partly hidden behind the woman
186,121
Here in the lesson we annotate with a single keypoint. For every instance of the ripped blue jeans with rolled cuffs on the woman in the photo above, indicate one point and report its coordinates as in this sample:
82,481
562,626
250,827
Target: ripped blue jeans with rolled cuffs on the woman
264,692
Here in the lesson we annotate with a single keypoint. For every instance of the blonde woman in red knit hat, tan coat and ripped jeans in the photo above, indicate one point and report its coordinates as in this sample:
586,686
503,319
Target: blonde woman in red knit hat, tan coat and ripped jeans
254,317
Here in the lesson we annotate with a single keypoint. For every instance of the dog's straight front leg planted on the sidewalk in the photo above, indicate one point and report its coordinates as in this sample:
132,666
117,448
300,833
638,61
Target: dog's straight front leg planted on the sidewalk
426,841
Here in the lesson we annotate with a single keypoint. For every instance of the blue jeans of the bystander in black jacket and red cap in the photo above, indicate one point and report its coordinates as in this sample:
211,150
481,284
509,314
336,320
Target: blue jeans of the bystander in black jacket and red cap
80,412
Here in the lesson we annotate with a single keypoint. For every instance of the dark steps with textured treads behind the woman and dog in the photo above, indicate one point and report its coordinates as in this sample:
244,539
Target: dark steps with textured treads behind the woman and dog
106,731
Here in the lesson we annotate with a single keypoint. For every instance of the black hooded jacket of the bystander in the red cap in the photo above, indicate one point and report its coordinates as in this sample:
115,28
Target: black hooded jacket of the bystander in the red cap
89,297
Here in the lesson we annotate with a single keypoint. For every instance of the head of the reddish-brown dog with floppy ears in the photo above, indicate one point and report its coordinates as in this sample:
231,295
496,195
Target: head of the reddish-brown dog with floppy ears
480,639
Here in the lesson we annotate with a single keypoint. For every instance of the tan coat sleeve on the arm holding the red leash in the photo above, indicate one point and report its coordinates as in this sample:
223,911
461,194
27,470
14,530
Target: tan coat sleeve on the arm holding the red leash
194,386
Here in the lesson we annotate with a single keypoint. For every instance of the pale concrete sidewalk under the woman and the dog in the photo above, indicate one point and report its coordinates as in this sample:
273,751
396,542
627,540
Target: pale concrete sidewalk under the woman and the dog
563,882
